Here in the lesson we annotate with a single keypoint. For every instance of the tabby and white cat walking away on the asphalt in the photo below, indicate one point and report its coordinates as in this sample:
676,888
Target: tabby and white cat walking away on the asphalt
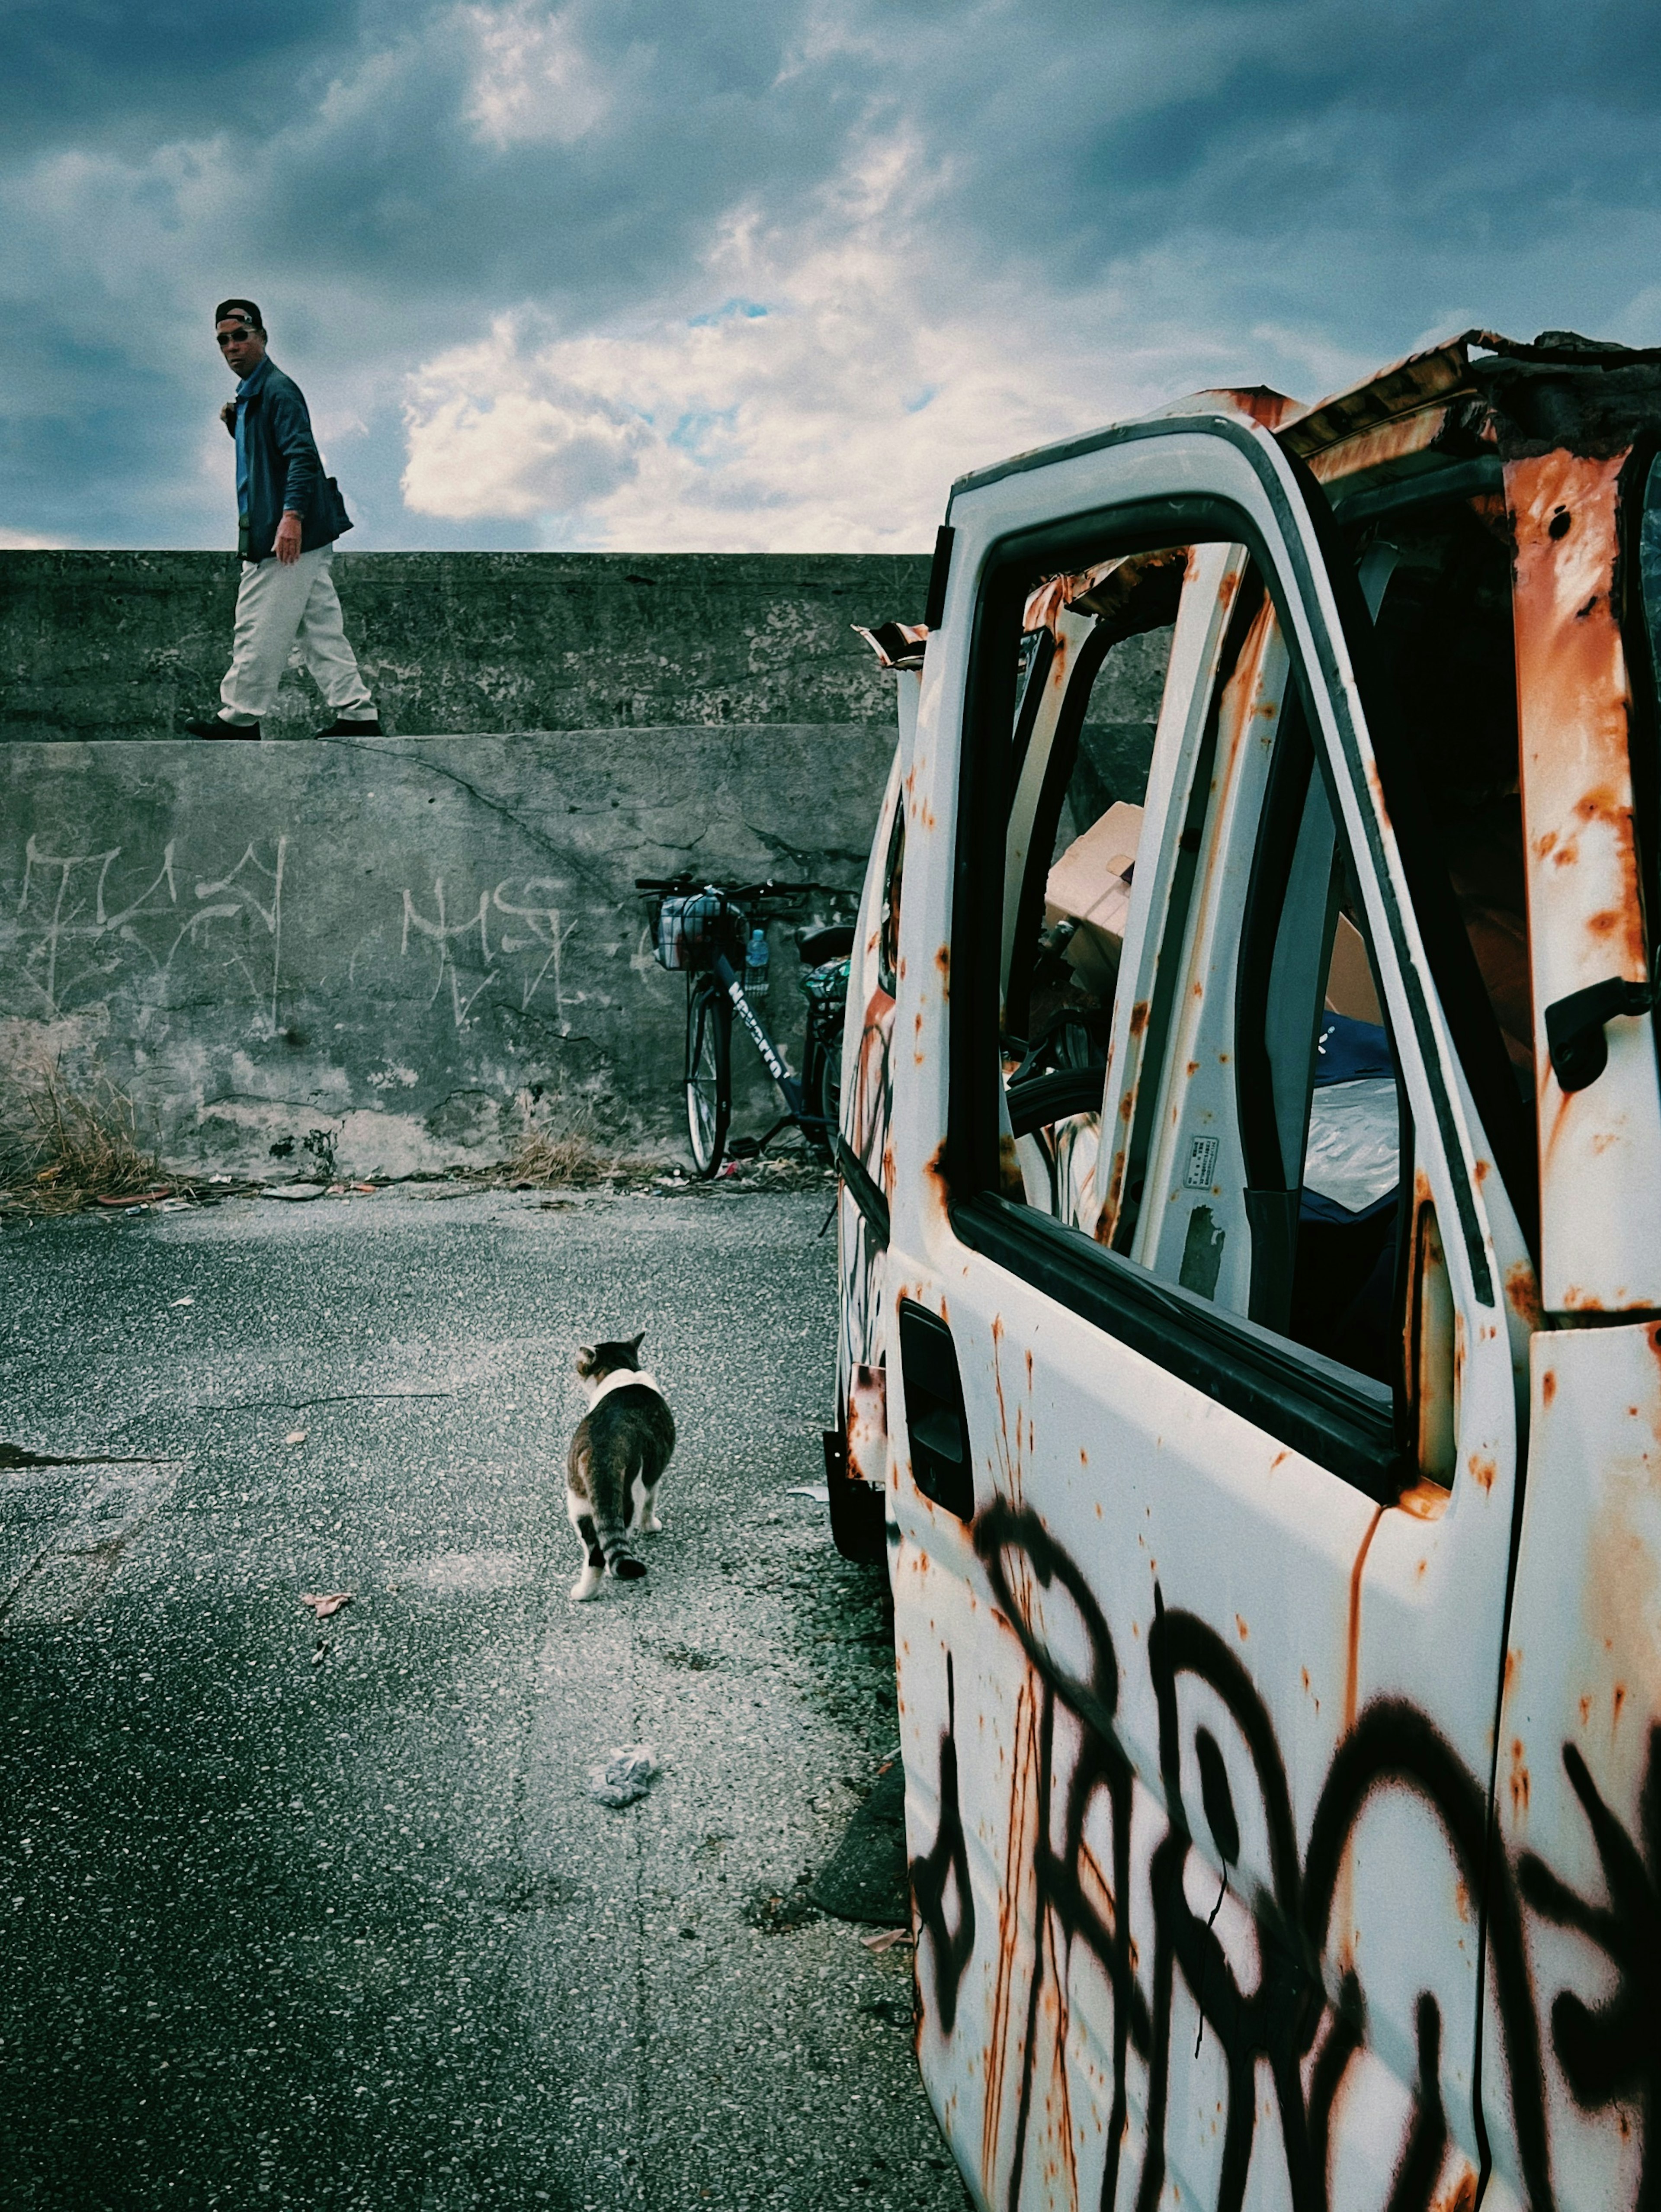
616,1463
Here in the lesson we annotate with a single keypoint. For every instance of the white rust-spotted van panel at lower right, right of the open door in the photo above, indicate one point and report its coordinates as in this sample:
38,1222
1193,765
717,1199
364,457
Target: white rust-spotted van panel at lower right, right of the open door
1580,1771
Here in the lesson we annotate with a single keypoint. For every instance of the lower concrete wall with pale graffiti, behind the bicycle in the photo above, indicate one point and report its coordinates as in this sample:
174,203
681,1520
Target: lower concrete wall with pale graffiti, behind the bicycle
382,950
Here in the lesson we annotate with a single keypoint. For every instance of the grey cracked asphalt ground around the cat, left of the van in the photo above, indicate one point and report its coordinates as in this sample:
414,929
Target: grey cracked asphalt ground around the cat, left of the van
322,1912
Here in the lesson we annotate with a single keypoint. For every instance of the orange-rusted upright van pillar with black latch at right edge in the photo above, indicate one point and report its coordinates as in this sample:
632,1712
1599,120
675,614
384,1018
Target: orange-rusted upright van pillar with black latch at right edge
1600,1149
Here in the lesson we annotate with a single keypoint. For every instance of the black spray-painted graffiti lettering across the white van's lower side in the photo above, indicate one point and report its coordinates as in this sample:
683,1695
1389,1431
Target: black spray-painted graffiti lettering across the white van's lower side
1286,2018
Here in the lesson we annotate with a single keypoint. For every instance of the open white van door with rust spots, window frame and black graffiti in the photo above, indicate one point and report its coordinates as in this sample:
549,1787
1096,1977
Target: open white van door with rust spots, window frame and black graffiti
1209,1315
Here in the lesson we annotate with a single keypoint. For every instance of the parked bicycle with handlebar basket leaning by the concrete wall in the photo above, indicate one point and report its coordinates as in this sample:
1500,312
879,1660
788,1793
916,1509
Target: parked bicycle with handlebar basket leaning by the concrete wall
702,930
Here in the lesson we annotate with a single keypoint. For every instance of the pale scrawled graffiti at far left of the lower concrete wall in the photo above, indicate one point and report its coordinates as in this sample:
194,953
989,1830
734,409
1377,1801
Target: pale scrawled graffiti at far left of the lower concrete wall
76,935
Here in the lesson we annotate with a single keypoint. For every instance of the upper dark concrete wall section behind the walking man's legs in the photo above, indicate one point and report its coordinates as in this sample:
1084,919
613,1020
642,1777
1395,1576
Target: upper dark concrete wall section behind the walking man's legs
132,645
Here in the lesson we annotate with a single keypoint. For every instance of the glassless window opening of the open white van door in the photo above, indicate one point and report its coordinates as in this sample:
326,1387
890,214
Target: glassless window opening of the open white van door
1262,1167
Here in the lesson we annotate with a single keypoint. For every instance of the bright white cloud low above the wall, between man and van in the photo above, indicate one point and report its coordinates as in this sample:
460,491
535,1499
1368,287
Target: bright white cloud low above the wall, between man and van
822,401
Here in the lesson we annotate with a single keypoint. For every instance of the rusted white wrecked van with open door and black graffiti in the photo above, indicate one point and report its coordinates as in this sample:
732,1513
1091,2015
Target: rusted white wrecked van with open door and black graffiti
1251,1246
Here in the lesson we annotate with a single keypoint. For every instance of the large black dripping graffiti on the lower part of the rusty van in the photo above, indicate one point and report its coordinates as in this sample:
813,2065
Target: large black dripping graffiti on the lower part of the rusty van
1284,2023
